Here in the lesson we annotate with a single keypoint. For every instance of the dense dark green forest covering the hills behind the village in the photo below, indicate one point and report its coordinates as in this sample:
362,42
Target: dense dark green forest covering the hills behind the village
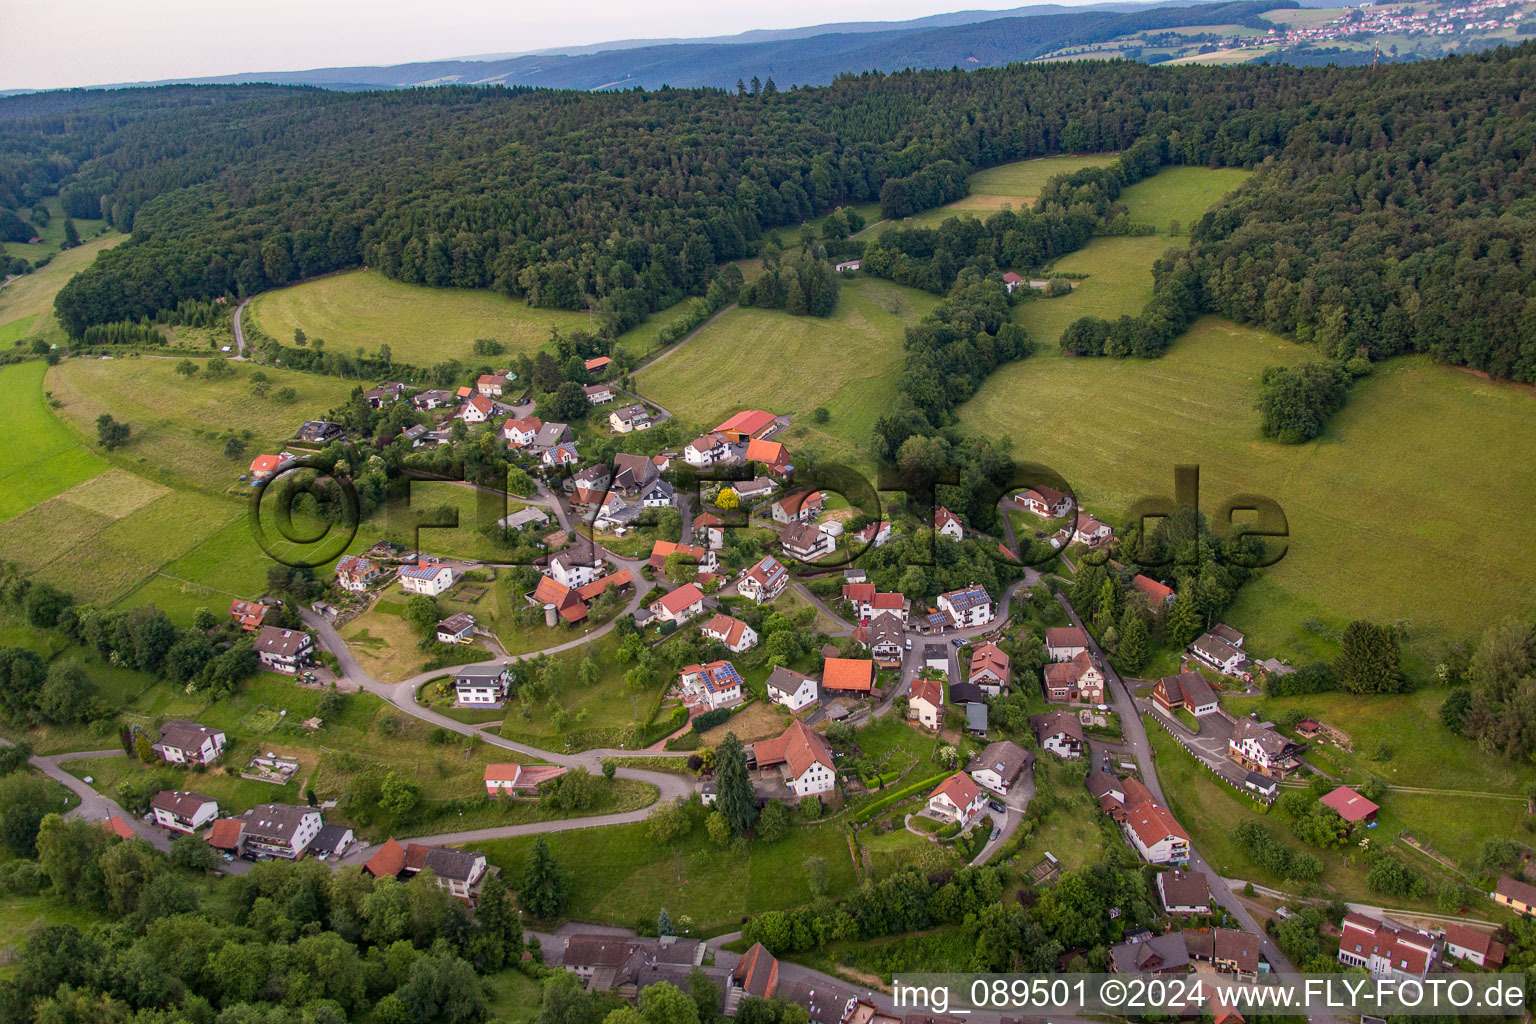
1392,211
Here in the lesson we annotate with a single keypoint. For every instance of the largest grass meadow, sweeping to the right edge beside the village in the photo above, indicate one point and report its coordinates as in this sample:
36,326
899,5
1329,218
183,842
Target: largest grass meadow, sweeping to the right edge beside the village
1365,540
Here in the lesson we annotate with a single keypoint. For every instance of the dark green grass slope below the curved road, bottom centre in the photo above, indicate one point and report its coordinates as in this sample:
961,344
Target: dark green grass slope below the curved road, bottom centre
620,876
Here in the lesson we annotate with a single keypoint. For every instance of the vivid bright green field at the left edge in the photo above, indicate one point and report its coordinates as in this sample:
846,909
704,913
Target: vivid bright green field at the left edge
47,457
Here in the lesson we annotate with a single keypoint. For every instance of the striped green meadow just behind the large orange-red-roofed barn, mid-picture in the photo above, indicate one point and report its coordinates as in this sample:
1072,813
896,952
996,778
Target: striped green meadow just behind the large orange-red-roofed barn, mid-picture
847,363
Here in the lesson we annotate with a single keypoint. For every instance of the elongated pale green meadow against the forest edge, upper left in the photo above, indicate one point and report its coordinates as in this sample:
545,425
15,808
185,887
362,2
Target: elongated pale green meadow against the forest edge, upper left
363,309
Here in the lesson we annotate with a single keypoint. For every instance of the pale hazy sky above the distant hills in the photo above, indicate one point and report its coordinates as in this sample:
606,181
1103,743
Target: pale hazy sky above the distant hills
53,44
